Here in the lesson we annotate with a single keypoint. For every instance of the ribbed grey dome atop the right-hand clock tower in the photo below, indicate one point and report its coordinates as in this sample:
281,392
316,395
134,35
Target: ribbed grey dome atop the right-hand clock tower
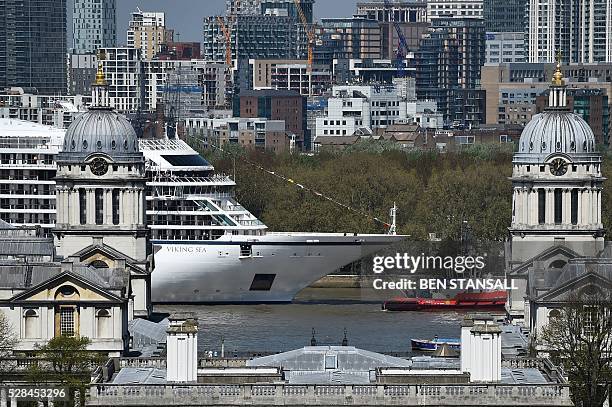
558,131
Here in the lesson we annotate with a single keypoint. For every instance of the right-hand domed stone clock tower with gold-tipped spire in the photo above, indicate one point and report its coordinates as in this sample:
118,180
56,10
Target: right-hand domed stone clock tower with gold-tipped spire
557,190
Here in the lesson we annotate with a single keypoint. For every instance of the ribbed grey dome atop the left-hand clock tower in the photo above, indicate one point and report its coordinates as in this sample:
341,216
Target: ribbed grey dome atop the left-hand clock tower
101,131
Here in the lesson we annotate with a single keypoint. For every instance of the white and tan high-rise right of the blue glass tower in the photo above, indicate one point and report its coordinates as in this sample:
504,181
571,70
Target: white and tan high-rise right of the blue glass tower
147,31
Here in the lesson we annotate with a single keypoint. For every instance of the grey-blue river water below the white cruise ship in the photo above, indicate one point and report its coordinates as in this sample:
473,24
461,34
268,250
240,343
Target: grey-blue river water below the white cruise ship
283,327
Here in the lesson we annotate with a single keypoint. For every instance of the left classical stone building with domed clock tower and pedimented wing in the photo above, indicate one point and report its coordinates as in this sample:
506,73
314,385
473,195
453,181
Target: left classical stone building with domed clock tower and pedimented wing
93,276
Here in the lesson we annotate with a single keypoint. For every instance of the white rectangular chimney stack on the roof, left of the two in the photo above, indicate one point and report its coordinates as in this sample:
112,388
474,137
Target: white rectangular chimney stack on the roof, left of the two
182,348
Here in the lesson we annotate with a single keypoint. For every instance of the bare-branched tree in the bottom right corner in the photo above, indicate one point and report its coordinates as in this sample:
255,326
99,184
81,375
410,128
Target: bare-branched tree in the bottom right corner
580,338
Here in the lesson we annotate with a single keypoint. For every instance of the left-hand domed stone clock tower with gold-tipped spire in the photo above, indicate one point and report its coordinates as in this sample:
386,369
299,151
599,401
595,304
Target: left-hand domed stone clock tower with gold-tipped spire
101,182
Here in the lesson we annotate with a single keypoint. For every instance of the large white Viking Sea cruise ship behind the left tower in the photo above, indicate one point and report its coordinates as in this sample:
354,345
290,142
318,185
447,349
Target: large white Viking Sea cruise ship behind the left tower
208,248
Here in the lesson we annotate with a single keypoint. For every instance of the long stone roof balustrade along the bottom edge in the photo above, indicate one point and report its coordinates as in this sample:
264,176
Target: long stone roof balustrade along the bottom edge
315,395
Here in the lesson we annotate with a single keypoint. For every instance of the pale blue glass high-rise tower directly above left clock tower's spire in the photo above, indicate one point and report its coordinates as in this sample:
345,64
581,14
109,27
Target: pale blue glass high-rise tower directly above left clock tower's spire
94,24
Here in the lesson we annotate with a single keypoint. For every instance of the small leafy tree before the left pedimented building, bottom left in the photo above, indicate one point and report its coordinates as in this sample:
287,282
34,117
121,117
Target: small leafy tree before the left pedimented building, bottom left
66,361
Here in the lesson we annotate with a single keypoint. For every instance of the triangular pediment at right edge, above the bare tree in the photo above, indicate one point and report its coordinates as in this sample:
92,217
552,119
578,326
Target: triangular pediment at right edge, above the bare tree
589,285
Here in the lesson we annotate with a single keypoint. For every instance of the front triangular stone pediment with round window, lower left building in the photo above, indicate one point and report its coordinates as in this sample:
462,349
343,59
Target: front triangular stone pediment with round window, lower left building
66,287
